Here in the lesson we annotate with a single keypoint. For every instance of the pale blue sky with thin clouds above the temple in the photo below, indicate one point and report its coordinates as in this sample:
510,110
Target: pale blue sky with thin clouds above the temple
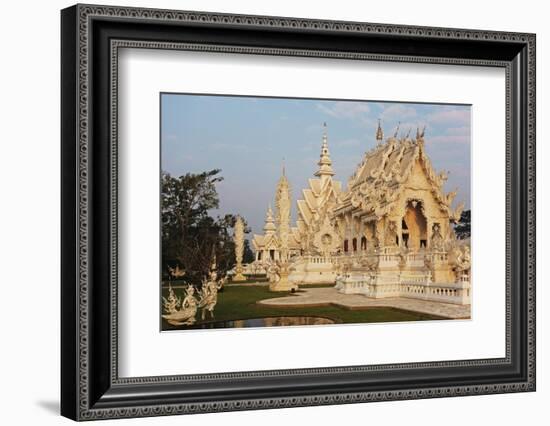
248,138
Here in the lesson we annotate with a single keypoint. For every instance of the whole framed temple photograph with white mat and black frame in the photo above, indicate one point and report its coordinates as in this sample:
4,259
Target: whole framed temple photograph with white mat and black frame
263,212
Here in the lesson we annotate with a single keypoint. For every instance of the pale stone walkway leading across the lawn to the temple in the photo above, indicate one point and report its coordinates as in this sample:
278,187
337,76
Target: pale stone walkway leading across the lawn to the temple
330,296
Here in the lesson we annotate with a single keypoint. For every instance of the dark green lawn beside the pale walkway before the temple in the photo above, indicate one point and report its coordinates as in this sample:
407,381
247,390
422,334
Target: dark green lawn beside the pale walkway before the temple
239,302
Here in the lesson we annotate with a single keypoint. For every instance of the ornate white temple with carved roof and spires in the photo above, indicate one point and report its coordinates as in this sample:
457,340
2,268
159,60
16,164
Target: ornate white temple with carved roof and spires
388,234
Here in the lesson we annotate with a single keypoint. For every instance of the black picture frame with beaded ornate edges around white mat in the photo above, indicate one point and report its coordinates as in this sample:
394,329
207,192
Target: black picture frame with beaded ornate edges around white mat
90,386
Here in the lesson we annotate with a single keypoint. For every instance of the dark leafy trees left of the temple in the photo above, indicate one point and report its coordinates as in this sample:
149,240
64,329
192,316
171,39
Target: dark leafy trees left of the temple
190,236
